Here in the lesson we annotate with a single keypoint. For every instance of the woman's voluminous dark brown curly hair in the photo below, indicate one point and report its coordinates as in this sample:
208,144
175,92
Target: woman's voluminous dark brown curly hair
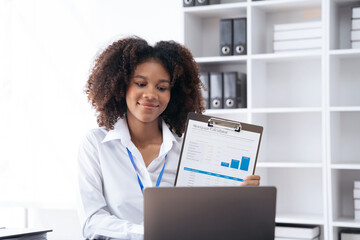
113,69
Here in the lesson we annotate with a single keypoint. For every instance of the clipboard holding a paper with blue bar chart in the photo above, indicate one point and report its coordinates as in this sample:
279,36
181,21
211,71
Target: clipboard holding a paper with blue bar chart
217,151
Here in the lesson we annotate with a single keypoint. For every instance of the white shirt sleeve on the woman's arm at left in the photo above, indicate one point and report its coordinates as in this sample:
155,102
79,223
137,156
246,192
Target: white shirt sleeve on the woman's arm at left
96,220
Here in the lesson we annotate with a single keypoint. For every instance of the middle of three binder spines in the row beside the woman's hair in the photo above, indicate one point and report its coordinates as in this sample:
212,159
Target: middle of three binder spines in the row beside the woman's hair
216,90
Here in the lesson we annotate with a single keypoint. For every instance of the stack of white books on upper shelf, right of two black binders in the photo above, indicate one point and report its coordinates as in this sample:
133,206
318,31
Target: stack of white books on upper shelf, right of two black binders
297,36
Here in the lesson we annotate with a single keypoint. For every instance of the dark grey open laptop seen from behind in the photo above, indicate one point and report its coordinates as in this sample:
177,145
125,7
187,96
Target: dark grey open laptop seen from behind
209,213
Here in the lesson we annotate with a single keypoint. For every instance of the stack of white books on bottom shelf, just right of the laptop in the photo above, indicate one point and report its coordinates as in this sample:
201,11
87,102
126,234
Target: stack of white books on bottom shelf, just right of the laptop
296,232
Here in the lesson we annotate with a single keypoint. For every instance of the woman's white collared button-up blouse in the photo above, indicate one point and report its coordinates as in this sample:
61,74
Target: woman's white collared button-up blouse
111,201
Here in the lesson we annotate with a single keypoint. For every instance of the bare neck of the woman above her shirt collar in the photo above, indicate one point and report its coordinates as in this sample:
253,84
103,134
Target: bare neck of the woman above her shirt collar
144,134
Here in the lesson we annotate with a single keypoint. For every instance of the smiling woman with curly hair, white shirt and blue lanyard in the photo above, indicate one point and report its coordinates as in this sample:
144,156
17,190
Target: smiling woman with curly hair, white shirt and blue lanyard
142,95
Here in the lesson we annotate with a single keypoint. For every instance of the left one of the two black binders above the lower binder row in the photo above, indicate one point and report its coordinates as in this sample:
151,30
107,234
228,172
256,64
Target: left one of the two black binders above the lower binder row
226,37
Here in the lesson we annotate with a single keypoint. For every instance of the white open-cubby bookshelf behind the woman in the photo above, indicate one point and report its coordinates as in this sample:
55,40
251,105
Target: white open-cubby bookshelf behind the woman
307,101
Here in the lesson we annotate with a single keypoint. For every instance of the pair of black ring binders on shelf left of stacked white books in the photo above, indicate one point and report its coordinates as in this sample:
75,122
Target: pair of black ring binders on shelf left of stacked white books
233,37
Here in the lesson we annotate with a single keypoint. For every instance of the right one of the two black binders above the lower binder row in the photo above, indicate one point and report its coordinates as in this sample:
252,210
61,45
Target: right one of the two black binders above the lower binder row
239,36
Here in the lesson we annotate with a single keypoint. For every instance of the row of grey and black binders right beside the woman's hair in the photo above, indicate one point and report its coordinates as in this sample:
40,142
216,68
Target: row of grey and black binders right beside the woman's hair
224,89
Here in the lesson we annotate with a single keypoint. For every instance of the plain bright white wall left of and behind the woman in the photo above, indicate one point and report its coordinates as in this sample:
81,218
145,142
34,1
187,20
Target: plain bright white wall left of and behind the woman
46,50
